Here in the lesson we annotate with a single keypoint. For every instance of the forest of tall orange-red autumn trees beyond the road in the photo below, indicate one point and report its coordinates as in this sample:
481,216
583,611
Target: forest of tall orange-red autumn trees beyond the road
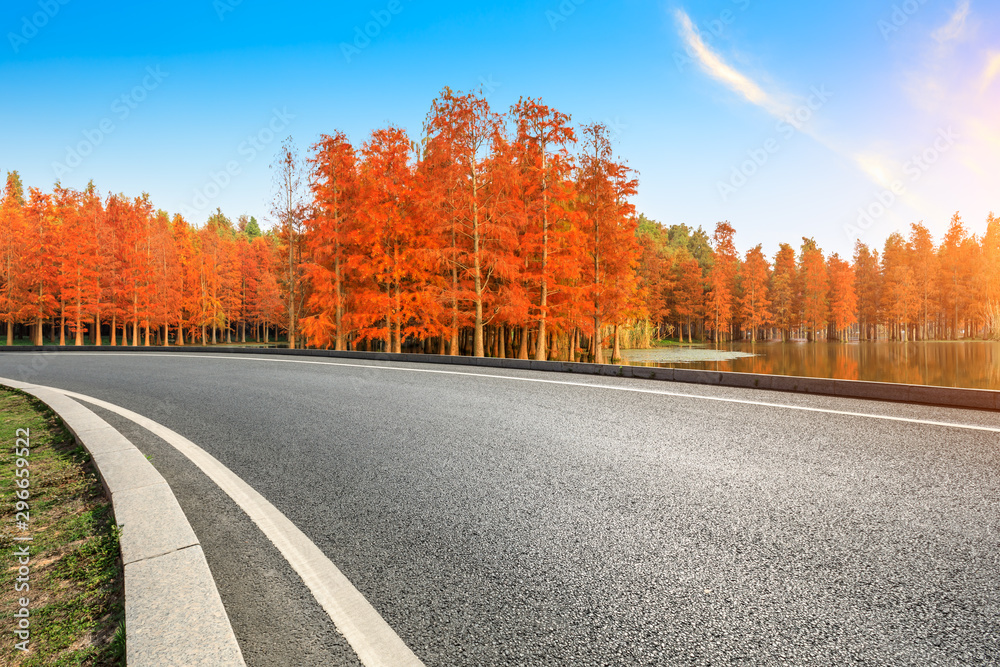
495,234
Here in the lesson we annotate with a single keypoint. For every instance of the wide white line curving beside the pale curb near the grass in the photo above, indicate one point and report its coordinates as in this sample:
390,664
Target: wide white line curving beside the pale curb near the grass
375,643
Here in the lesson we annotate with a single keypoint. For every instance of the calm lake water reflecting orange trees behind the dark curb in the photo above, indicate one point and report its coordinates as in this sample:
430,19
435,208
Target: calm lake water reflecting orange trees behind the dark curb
973,364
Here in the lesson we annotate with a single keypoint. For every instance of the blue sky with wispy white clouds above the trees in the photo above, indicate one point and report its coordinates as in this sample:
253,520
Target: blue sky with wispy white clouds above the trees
164,96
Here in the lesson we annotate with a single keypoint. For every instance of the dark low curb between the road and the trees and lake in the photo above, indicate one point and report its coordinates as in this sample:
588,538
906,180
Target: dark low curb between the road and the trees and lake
981,399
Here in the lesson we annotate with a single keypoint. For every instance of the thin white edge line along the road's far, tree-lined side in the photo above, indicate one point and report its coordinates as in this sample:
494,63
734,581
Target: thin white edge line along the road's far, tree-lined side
639,390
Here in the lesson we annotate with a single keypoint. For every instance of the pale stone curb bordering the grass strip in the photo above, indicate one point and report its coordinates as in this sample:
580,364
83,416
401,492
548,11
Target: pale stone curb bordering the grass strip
173,612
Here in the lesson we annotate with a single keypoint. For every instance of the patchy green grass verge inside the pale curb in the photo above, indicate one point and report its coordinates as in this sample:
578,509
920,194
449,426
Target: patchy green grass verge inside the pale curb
77,612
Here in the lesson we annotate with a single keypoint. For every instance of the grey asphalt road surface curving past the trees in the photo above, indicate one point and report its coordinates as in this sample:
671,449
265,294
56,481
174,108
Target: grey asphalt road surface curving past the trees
493,521
